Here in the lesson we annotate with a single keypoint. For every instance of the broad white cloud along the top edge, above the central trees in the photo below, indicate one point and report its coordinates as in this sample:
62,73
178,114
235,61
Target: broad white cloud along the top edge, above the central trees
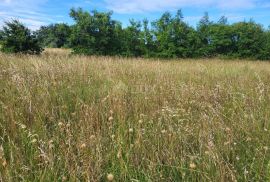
137,6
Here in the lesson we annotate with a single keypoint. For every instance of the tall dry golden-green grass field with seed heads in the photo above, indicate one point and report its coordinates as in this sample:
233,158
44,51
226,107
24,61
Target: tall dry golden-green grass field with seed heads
72,118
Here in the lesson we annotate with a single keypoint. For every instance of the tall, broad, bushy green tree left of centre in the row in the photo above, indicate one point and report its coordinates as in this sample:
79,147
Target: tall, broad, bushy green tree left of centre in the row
94,33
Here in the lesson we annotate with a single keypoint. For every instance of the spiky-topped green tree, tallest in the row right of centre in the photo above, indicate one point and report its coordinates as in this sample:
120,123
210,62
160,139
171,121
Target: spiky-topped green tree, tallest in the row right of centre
174,37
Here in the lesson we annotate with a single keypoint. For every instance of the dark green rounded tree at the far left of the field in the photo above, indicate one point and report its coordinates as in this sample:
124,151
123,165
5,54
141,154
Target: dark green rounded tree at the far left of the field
16,38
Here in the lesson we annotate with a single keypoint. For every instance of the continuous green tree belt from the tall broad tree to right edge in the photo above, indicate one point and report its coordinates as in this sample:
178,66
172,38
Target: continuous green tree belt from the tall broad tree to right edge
170,36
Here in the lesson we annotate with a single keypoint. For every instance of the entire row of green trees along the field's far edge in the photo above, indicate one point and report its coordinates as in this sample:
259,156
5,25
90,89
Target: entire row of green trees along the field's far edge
96,33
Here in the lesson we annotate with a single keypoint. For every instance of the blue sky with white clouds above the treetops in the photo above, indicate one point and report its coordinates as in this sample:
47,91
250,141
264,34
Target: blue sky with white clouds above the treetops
35,13
